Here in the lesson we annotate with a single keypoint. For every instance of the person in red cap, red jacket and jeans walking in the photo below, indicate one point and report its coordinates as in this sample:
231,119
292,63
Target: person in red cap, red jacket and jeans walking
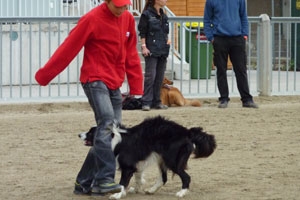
109,38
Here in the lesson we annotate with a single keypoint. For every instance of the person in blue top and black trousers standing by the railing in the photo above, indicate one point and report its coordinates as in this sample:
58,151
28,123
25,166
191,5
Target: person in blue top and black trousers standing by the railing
226,27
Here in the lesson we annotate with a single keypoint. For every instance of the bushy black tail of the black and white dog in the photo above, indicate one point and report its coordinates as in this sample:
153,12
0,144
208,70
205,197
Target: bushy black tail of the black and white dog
205,144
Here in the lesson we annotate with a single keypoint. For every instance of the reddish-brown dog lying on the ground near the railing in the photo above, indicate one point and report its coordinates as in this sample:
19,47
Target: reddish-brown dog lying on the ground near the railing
171,96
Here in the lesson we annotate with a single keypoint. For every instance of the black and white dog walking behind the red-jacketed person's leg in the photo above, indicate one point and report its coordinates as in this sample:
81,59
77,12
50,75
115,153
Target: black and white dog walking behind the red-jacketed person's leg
156,140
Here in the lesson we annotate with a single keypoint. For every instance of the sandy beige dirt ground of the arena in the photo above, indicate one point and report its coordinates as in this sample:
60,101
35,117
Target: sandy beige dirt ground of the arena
258,153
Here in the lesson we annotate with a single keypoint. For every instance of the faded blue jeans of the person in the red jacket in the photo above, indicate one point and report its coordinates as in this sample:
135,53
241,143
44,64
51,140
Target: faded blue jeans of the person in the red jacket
99,165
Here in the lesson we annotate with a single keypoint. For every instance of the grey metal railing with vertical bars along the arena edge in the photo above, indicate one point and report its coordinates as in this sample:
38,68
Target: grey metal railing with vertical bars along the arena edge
27,43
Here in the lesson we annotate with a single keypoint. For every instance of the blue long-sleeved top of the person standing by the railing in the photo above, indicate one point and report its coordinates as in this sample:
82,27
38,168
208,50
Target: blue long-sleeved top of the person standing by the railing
225,18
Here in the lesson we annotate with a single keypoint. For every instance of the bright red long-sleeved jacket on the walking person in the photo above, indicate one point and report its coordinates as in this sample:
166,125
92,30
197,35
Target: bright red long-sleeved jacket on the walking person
109,51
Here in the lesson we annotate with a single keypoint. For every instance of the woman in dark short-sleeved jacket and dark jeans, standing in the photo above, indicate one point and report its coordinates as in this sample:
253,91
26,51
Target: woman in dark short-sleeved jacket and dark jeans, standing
154,29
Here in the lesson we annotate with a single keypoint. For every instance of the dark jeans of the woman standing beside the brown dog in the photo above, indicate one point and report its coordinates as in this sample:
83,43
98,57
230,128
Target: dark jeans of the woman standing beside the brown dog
154,75
